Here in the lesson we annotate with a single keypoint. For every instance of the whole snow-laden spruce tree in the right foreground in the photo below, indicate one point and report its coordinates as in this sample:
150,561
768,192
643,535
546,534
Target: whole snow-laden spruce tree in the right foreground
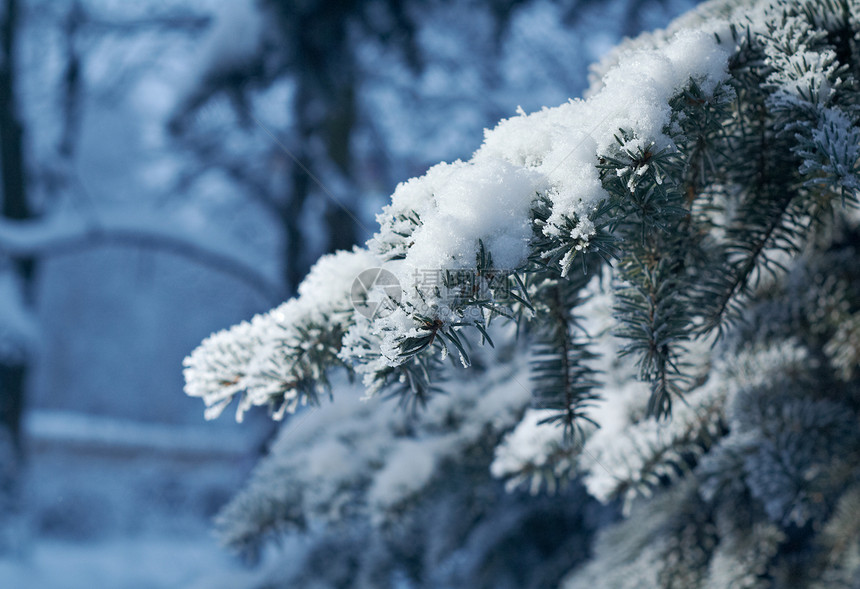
654,292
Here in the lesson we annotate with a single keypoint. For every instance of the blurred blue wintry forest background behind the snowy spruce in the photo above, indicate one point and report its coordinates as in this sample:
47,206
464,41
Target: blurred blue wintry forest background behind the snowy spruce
170,168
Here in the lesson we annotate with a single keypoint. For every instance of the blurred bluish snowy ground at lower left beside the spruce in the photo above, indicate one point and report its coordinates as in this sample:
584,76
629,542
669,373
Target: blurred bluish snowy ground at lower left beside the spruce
118,503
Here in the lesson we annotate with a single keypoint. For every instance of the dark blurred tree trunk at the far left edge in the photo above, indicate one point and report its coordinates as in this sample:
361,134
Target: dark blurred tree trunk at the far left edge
13,373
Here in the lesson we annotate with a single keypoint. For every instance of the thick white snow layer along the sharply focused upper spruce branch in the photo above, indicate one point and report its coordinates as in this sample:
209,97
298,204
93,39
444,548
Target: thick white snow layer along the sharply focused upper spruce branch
442,220
